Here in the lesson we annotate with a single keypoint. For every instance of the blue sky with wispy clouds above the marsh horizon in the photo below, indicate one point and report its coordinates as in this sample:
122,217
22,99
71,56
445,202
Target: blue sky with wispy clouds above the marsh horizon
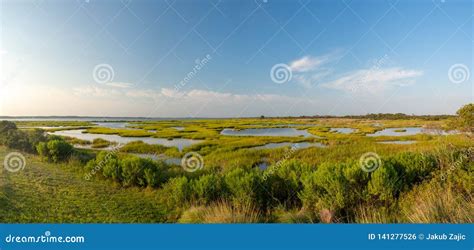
201,58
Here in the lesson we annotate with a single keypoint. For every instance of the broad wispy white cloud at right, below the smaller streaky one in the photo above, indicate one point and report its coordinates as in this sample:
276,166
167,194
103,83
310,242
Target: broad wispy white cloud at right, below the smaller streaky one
373,80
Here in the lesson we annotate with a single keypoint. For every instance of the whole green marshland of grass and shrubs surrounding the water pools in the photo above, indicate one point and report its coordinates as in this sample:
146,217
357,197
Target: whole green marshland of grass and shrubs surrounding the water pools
424,182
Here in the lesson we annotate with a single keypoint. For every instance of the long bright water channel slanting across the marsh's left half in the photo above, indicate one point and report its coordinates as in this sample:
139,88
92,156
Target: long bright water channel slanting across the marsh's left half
179,143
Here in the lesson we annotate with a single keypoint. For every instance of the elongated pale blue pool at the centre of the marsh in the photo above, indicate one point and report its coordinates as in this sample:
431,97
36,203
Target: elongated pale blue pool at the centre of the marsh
266,132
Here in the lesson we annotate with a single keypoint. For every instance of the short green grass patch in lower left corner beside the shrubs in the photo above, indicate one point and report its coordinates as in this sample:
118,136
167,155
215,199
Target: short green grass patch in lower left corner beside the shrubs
50,193
